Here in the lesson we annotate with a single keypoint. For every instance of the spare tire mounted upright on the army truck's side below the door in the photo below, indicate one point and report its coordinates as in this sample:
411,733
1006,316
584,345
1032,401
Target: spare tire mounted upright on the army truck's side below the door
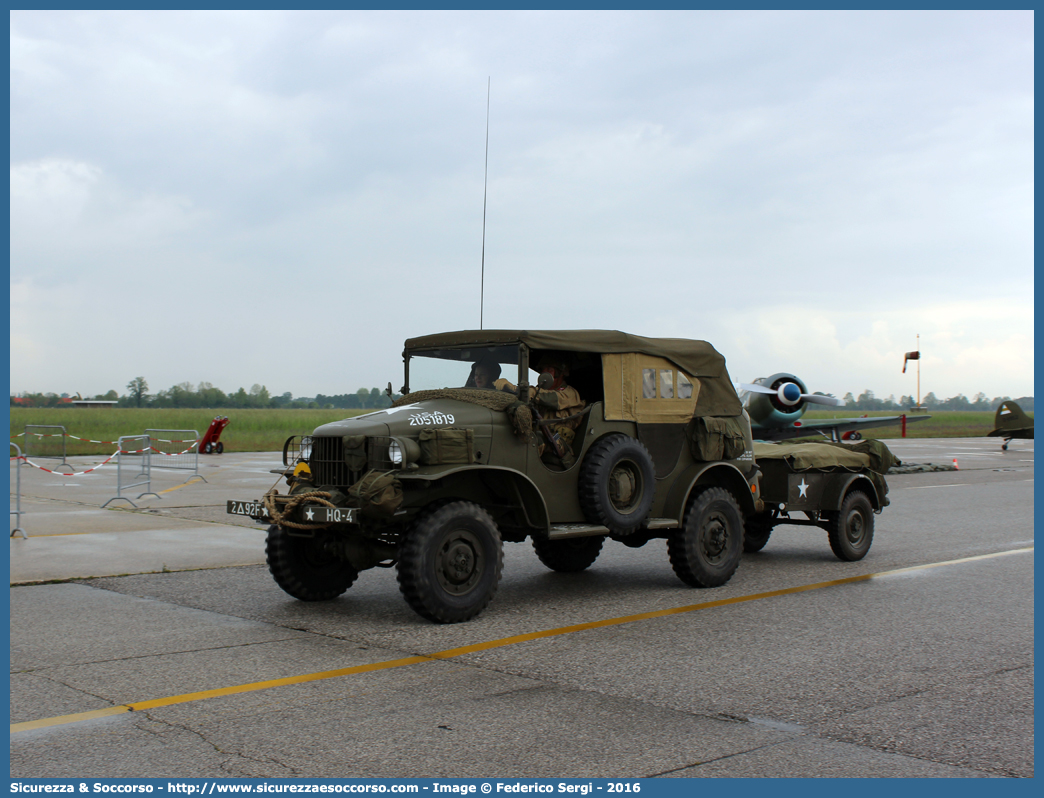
618,484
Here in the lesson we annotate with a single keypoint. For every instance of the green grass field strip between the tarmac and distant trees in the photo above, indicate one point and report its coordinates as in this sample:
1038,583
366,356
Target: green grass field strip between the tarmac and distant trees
266,431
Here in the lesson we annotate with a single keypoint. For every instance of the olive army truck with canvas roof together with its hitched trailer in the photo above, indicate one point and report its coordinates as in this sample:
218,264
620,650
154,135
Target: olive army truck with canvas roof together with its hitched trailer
659,449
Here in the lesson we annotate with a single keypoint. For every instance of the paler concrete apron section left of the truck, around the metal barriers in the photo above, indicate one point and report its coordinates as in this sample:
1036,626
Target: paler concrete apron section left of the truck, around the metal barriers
179,525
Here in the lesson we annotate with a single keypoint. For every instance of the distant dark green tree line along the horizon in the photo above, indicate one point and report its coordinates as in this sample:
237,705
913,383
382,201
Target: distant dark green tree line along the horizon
205,395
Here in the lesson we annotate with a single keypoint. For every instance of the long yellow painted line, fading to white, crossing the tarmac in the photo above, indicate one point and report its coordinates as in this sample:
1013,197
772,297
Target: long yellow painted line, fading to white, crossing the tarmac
452,653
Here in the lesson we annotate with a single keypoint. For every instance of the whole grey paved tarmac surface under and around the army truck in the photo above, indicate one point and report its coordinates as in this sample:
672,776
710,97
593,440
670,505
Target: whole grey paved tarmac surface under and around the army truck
923,670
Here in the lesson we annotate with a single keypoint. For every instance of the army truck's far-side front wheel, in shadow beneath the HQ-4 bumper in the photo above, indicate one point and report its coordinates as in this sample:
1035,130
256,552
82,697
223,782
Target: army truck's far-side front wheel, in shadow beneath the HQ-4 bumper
305,568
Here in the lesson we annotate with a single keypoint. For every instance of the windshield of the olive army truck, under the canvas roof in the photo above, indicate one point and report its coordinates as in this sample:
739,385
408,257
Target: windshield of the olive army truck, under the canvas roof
466,367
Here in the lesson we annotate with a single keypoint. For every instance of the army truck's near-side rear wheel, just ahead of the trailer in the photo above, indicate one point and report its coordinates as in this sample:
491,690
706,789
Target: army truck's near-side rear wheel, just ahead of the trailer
706,551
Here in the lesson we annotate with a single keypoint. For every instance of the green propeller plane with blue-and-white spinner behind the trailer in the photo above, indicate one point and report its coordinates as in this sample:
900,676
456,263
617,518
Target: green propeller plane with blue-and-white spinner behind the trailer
777,404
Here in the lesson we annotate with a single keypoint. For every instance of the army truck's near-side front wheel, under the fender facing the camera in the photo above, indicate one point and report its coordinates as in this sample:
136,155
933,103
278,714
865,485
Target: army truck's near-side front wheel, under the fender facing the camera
450,562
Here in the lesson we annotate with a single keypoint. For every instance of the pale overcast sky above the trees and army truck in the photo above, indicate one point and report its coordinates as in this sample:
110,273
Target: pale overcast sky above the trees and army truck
282,199
